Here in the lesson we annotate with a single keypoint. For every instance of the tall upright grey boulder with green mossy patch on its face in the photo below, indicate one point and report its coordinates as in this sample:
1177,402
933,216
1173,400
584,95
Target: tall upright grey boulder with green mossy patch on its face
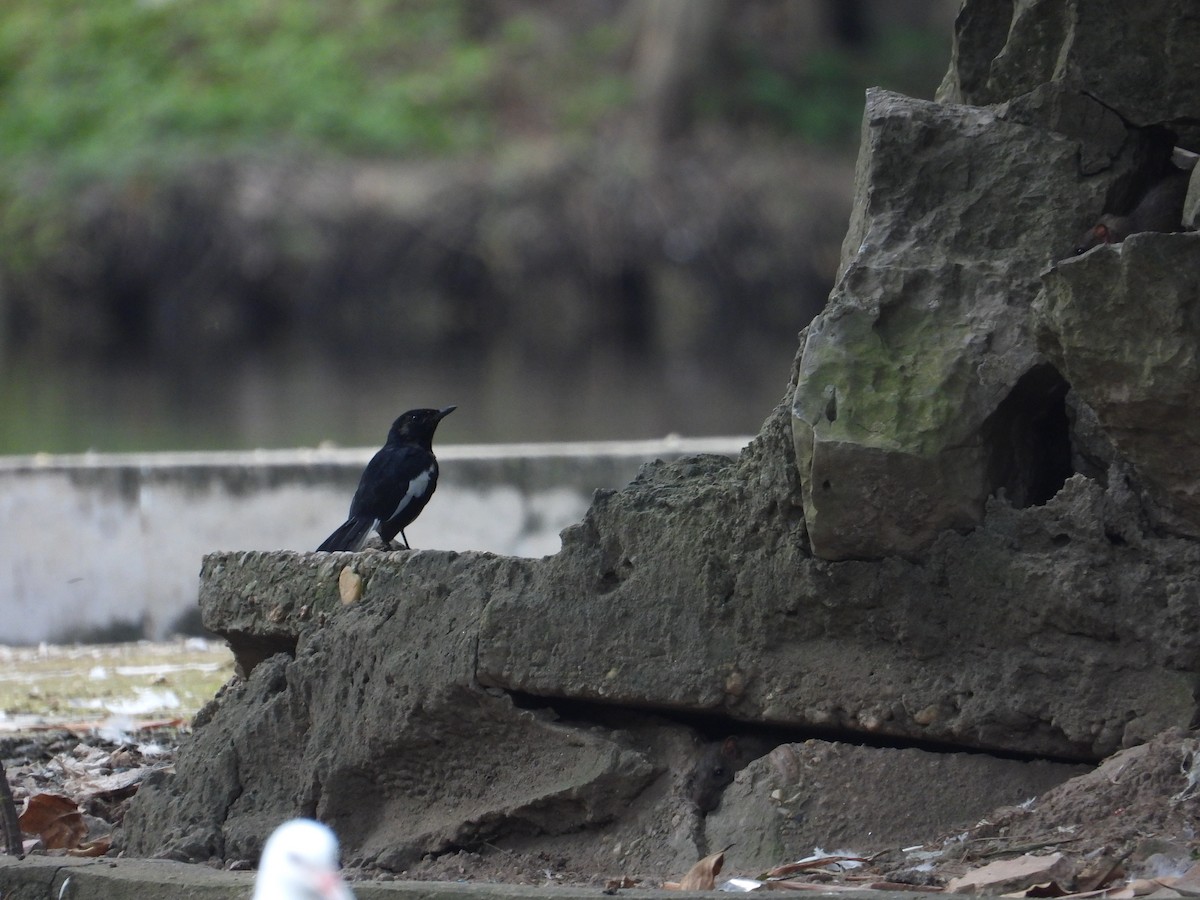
898,409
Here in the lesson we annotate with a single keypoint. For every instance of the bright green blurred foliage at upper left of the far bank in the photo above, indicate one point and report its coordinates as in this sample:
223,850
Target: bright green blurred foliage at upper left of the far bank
135,80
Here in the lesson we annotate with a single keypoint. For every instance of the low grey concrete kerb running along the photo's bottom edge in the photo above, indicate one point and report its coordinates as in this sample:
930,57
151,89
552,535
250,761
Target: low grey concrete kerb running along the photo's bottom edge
67,879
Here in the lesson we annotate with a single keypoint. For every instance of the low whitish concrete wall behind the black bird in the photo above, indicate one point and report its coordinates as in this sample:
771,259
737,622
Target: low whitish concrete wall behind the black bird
95,541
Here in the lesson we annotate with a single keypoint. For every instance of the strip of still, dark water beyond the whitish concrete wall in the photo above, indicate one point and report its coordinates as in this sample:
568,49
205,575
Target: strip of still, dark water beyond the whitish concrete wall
296,400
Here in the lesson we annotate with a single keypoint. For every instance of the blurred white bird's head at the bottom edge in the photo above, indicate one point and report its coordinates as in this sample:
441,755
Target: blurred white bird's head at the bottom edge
301,863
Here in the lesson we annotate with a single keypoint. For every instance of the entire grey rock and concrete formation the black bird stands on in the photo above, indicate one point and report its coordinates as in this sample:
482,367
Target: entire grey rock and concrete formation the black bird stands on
963,531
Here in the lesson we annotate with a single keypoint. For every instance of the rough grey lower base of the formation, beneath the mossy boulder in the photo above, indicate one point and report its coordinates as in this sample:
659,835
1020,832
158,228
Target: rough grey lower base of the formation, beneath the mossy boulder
466,699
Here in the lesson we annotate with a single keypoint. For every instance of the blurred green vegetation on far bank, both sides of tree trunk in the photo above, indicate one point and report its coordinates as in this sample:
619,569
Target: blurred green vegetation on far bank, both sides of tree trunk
109,85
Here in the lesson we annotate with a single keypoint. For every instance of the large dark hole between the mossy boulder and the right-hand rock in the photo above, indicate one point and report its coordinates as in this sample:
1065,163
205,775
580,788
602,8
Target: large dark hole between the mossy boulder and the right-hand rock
1028,440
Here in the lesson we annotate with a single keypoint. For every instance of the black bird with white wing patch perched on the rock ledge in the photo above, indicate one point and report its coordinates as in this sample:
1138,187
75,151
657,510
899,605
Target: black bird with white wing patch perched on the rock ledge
397,484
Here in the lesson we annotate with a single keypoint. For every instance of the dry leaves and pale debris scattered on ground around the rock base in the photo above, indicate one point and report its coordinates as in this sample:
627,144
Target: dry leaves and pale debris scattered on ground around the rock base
1127,829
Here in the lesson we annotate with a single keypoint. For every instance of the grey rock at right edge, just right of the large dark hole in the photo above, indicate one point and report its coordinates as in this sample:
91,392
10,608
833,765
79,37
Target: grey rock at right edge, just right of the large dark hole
1121,326
